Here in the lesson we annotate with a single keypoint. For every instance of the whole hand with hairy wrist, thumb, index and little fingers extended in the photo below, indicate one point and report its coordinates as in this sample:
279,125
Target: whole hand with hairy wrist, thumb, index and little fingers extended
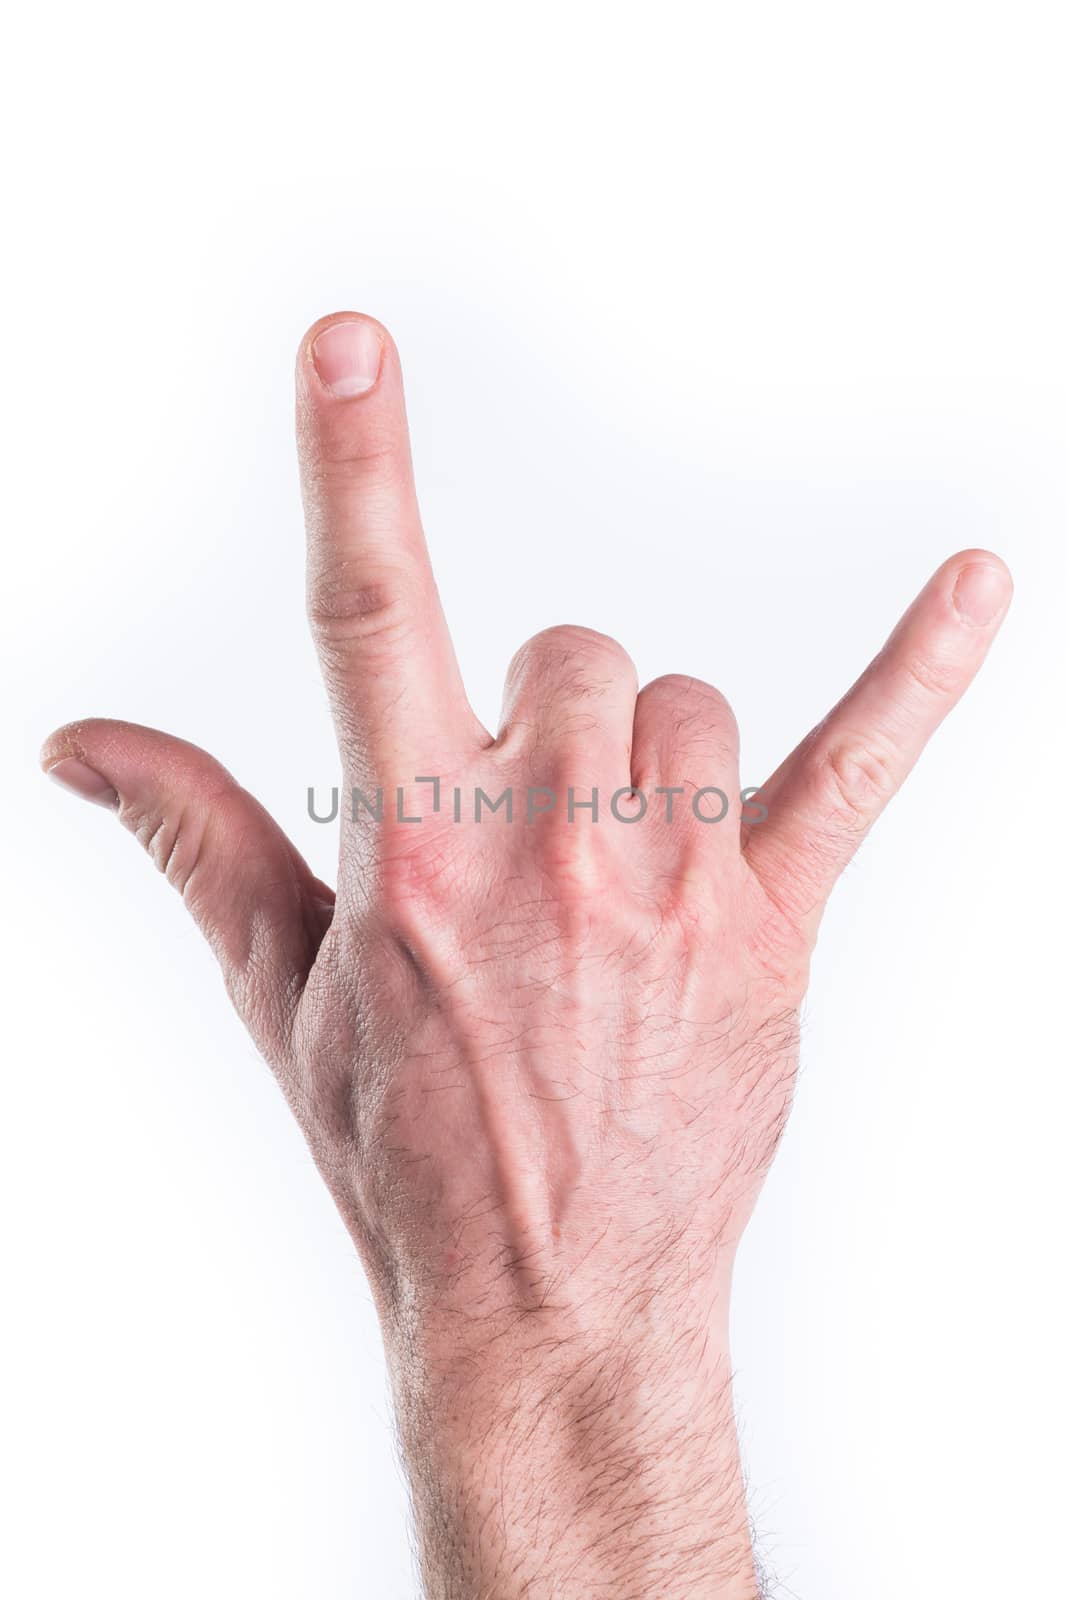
541,1063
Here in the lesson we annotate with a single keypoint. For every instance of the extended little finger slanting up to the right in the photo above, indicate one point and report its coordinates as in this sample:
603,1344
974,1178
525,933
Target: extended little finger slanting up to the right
829,793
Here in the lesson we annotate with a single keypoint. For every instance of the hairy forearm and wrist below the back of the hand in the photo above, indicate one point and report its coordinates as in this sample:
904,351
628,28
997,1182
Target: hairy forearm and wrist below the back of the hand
567,1473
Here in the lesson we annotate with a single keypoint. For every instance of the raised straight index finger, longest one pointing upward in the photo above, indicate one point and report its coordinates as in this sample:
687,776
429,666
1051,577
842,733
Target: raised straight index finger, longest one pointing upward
373,604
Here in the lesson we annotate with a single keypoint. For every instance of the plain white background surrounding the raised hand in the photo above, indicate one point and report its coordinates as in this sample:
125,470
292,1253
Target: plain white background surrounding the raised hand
723,326
